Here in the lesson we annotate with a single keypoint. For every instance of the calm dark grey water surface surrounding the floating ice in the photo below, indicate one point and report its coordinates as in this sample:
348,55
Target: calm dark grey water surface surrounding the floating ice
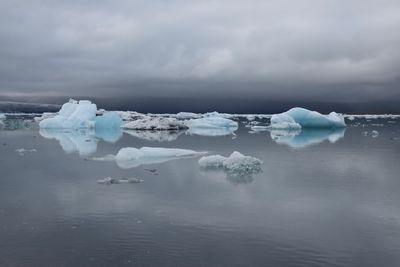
321,200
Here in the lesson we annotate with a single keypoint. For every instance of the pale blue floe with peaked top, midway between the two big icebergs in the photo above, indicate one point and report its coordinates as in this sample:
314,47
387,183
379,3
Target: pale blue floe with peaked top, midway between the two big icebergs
211,125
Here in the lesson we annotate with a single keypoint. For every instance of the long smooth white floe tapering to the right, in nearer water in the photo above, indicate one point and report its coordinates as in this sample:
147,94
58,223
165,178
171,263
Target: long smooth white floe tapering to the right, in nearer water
130,157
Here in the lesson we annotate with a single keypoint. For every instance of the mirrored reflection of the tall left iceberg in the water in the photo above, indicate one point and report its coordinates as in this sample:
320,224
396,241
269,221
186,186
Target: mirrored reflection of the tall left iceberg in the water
83,141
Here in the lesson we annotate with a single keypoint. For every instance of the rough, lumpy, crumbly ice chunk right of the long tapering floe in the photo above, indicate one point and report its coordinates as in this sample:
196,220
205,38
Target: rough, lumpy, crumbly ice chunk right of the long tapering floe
236,163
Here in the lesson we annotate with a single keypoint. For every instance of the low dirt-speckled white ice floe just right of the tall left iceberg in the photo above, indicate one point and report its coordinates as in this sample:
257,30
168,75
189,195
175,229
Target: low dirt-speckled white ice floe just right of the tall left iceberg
155,123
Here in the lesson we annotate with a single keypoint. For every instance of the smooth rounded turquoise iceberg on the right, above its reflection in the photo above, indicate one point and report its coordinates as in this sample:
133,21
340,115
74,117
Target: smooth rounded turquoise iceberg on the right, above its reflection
297,118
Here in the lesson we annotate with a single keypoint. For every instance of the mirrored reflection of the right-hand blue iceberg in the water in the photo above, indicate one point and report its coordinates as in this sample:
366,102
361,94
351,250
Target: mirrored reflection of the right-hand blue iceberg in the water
306,137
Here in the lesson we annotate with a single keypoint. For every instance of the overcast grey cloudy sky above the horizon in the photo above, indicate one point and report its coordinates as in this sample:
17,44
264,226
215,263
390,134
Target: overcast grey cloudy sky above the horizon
281,51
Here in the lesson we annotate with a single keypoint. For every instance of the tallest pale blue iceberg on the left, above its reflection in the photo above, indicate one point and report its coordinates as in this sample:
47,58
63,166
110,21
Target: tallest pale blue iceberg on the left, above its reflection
80,115
